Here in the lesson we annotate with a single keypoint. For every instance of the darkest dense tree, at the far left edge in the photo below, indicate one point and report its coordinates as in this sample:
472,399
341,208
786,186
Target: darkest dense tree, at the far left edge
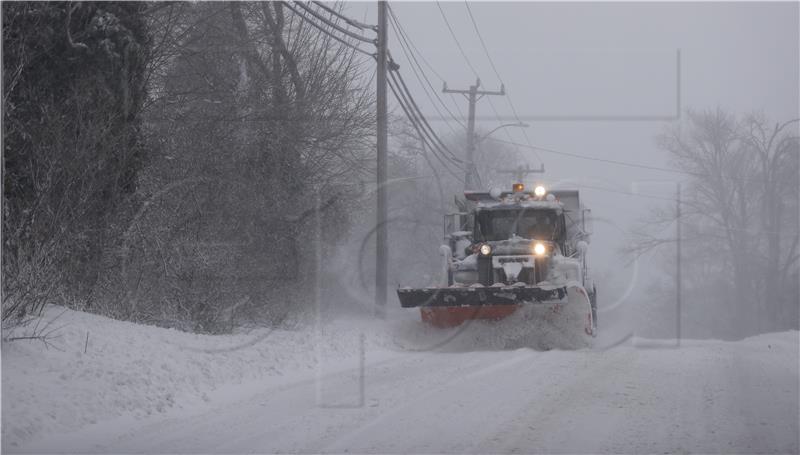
72,93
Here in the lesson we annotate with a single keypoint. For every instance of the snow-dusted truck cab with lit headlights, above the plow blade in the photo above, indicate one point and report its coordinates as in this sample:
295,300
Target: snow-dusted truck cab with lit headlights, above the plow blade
518,228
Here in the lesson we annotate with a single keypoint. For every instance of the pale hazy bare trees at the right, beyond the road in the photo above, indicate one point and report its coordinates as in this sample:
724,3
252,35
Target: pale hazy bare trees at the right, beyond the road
739,212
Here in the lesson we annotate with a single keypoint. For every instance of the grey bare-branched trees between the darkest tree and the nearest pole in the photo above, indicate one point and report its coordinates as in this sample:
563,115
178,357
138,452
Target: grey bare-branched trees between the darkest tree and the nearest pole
258,114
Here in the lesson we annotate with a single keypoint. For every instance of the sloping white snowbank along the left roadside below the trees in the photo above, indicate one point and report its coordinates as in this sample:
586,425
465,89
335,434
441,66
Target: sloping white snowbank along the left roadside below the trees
93,369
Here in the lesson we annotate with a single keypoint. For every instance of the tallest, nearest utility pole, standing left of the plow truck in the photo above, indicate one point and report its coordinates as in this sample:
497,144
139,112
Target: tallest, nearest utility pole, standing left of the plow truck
381,237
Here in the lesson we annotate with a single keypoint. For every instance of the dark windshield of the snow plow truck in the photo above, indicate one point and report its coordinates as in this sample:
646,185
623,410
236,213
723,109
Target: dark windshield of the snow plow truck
540,224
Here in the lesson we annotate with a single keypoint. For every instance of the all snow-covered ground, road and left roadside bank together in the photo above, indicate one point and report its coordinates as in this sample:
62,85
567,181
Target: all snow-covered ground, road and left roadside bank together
364,385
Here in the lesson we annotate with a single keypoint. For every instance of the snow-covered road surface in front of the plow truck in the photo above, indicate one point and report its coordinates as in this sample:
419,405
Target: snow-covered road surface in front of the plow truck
706,396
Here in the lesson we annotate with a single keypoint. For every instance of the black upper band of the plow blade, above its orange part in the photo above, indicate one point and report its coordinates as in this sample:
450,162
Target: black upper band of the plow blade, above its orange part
479,296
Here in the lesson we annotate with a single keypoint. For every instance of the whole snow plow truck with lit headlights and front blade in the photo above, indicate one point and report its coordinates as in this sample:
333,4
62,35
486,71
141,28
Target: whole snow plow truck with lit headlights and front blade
508,249
